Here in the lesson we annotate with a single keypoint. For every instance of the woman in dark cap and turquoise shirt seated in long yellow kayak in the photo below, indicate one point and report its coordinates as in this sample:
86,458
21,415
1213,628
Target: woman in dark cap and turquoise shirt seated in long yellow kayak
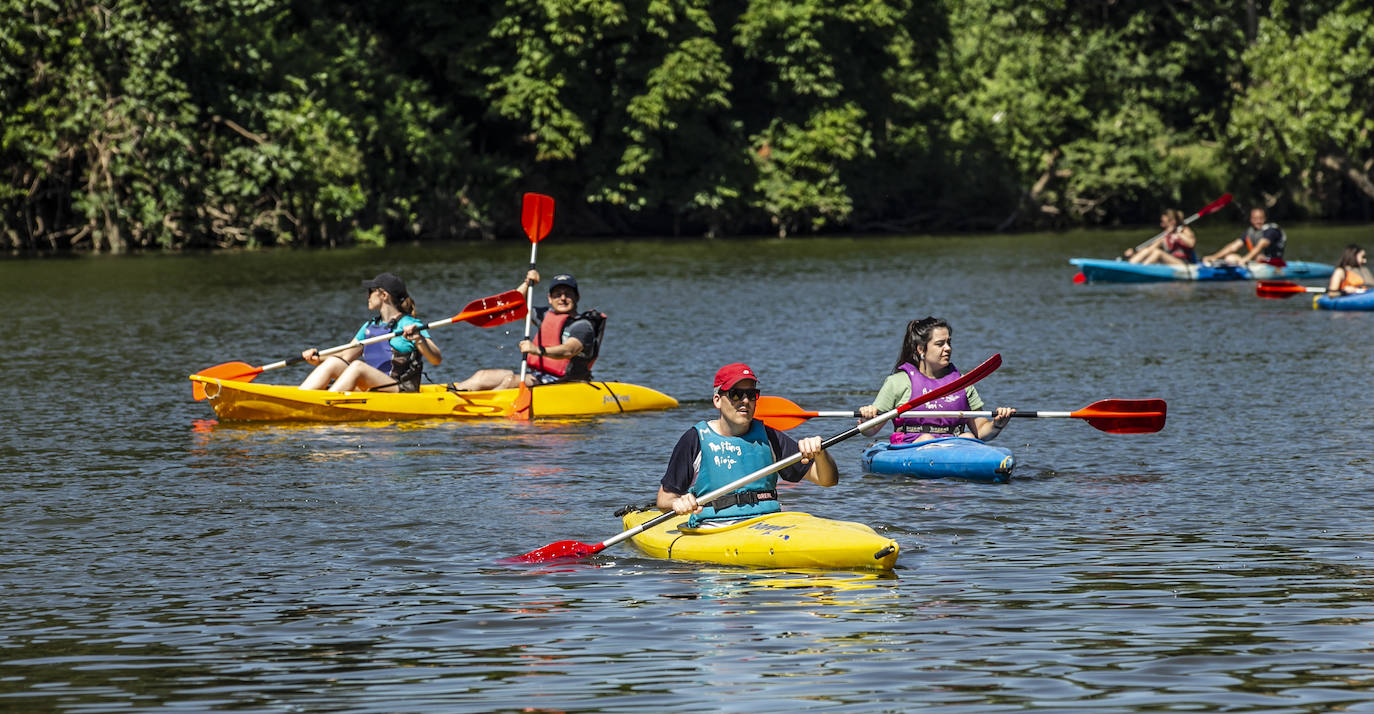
387,366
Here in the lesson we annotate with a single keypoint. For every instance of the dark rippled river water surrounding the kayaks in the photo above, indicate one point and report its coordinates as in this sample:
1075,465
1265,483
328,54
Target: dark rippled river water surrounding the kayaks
155,560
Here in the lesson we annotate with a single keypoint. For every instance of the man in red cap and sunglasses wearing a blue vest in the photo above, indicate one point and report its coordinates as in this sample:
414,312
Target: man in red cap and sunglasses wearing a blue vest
733,446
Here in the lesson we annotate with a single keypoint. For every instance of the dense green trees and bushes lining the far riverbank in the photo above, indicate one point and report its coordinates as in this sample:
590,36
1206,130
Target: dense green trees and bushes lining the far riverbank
137,124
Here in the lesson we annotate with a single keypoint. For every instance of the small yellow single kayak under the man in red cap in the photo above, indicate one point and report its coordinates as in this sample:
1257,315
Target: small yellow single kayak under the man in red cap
784,540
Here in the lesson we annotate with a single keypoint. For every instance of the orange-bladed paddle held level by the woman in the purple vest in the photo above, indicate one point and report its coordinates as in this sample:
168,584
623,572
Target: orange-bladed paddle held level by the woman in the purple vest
1114,417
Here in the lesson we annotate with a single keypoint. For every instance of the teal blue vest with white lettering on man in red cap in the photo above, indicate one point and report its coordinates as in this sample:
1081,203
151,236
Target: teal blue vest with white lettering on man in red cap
726,459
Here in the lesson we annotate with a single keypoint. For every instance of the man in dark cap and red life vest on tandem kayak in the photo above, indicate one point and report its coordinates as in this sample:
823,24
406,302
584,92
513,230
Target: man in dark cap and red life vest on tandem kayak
563,348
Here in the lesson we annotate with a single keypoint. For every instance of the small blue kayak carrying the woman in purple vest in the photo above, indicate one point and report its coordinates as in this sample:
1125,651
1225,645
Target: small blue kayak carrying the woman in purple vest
943,458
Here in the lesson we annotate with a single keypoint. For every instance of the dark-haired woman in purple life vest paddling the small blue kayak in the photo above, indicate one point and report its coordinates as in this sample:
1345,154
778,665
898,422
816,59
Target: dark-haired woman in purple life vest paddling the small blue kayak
925,365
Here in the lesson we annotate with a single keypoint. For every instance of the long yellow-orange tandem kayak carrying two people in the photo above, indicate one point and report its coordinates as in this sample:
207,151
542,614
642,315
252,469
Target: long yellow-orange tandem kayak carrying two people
247,402
